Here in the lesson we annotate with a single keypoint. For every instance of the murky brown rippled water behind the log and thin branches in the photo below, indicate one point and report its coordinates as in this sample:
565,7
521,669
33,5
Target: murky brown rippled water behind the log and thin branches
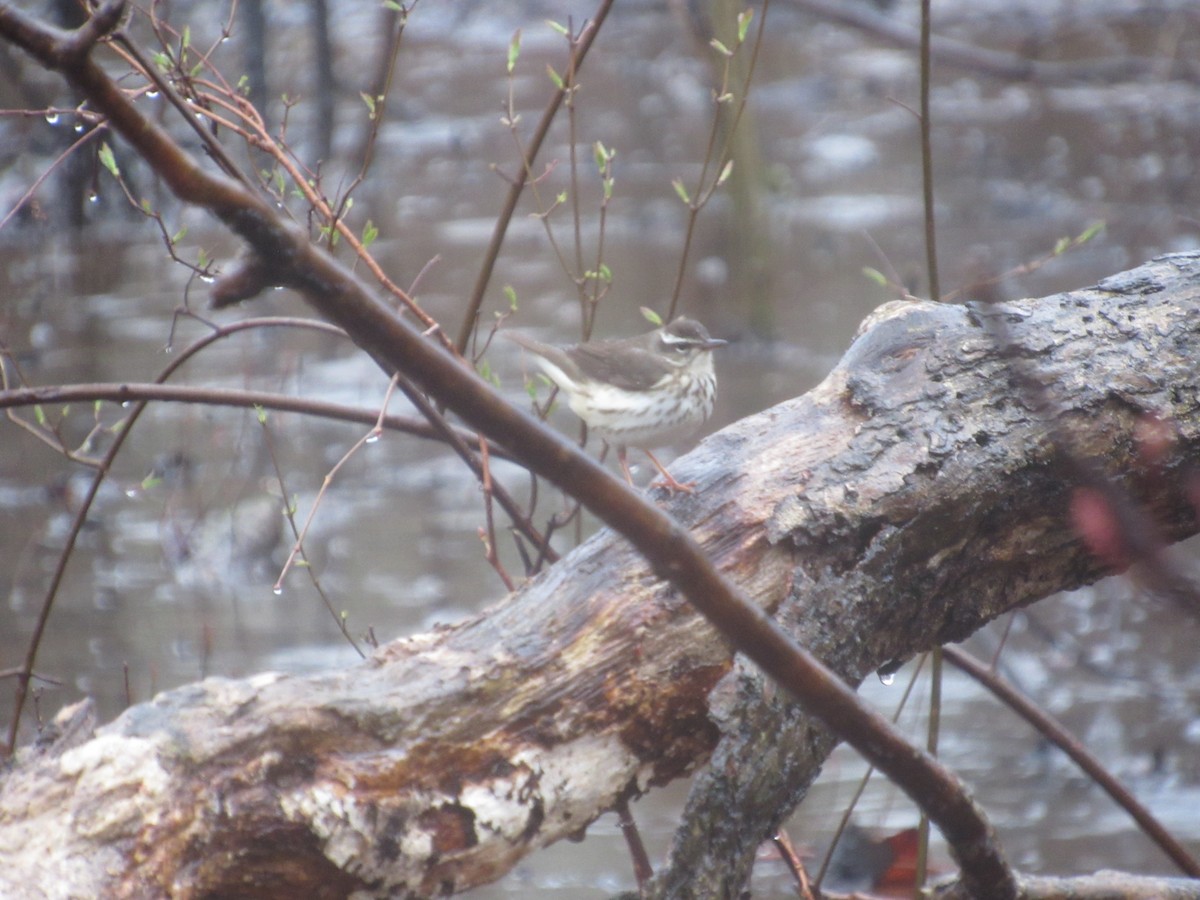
173,578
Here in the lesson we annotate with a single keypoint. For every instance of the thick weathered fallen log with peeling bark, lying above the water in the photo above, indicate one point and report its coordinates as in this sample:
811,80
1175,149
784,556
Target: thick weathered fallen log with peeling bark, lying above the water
907,501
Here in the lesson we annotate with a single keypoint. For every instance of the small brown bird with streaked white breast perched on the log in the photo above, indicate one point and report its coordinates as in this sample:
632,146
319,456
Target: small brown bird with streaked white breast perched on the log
639,392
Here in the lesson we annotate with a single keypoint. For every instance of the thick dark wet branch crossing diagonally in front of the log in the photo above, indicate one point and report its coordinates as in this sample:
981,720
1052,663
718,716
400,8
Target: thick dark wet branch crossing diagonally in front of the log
284,255
